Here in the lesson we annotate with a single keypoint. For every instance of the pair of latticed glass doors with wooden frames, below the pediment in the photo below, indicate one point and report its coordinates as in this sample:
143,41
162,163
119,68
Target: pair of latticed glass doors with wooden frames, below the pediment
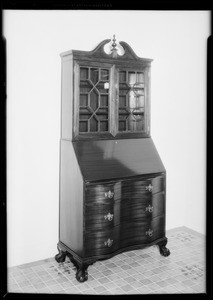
110,102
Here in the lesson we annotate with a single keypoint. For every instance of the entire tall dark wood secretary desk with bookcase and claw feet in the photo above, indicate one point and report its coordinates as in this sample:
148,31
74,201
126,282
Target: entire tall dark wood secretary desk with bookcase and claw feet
112,180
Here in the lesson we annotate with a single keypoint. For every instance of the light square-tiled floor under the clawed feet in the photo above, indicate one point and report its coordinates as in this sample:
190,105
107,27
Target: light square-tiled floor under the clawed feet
142,271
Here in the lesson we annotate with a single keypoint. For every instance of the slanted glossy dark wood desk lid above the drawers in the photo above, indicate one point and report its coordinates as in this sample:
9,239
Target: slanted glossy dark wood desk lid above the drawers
112,159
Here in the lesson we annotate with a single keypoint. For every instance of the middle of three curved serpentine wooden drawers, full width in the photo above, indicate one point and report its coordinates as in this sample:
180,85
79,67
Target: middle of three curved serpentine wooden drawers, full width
107,215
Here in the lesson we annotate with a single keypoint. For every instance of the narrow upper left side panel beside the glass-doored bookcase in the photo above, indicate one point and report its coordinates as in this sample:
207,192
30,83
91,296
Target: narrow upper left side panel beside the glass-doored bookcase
66,98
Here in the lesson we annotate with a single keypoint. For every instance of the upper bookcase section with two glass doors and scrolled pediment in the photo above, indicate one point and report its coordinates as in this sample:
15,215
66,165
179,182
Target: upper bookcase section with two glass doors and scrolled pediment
110,93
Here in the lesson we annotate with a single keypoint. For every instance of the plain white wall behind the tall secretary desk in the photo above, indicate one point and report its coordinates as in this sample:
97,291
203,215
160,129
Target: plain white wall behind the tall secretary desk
176,40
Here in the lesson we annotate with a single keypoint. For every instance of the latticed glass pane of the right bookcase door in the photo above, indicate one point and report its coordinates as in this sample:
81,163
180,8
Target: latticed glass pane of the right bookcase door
131,116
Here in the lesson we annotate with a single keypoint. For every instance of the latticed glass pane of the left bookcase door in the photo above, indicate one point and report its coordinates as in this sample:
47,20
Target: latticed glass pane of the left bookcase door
94,100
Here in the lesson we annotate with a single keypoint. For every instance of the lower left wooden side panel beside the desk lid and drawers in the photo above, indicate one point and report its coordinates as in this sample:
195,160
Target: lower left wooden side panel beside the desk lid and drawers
71,199
